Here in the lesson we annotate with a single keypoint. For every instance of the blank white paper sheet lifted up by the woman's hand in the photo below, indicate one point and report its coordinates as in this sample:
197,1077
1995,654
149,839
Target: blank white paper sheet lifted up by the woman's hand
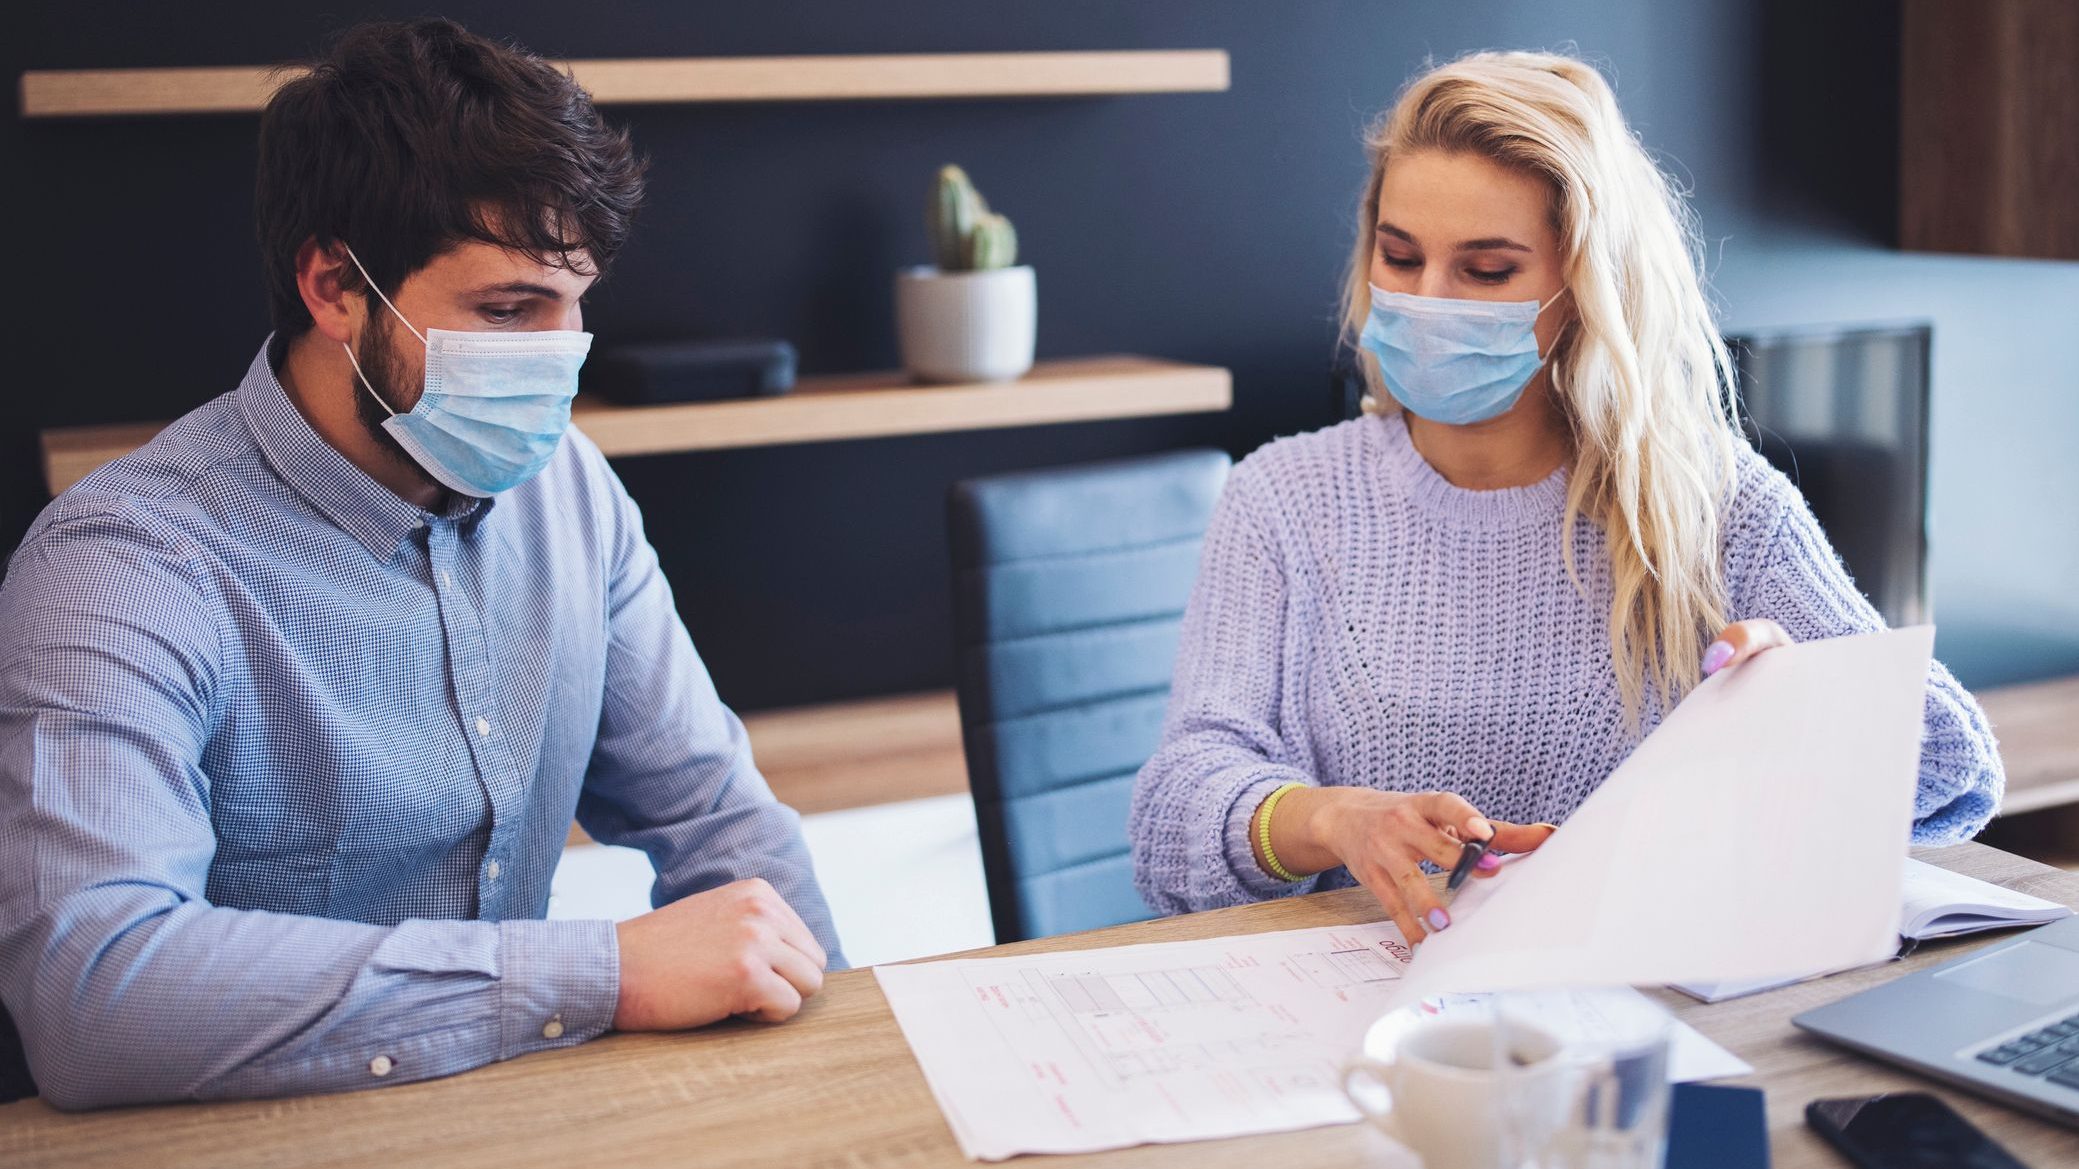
1754,835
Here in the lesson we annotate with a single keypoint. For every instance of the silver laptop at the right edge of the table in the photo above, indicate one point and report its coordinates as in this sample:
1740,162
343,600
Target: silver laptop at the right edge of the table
2001,1022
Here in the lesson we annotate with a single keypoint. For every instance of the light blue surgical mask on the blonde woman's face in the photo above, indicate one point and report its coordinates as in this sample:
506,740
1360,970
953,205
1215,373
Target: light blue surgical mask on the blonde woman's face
1454,361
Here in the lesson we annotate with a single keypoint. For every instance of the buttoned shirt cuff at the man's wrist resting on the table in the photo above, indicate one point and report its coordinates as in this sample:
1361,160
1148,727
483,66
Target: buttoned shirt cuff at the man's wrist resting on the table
560,983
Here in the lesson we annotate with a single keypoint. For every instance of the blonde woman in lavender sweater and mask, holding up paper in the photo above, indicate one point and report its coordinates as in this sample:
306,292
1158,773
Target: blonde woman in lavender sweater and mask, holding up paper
1458,617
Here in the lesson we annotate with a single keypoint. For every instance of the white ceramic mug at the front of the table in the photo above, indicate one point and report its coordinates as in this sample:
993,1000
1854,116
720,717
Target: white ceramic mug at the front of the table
1433,1087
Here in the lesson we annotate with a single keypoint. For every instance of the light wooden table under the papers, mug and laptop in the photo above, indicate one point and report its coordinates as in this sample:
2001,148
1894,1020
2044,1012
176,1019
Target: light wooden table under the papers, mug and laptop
839,1089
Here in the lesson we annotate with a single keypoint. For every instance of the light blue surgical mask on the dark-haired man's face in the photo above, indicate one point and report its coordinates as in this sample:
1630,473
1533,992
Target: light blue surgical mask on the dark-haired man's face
494,405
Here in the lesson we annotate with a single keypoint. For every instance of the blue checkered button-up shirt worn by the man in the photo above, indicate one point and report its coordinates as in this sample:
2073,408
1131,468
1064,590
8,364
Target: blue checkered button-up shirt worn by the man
286,767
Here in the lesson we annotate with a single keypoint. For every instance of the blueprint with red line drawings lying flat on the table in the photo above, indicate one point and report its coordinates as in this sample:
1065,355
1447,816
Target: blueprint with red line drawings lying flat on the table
1159,1043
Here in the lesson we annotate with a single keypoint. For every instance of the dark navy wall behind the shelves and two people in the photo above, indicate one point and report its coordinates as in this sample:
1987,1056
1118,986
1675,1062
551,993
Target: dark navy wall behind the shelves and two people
1207,228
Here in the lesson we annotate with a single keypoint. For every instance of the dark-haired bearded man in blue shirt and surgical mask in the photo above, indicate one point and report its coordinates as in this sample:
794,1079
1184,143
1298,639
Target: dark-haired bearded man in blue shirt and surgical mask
298,700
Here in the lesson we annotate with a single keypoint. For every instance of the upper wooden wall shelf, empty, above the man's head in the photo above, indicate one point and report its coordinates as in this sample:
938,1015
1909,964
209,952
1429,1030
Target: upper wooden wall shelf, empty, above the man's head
234,90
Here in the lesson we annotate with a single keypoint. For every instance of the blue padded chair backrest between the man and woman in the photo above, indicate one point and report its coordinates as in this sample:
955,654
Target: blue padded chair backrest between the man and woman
1068,592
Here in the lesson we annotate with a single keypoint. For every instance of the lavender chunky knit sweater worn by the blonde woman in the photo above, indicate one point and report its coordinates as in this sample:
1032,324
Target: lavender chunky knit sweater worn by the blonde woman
1361,621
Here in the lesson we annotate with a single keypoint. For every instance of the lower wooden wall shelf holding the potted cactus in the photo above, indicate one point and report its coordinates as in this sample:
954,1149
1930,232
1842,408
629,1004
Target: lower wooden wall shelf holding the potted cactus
818,411
